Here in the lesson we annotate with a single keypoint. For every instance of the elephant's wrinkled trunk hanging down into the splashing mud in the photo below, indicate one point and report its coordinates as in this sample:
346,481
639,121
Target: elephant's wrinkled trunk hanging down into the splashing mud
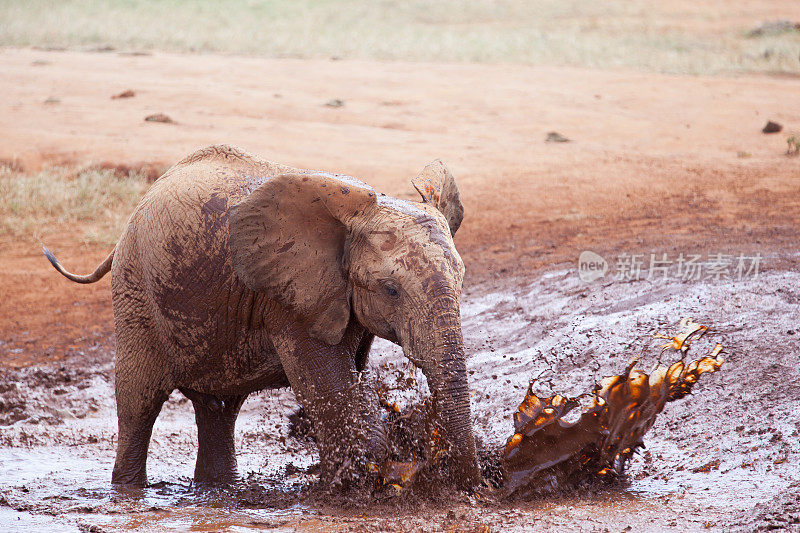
444,365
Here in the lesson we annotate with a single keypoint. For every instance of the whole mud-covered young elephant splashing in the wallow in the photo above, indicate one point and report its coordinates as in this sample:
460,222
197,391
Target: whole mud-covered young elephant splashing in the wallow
235,275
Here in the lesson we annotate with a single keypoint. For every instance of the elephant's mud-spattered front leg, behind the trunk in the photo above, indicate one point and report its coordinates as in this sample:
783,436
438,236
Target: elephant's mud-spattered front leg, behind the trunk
344,410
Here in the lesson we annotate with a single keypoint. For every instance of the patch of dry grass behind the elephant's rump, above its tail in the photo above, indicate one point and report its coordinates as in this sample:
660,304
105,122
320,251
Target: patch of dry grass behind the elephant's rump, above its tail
94,204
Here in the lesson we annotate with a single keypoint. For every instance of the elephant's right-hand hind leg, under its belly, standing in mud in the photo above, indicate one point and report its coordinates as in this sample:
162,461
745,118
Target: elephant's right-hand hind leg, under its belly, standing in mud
216,420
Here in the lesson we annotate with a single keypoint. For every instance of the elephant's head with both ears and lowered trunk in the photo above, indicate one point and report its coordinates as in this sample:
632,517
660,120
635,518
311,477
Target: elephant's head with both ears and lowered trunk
331,250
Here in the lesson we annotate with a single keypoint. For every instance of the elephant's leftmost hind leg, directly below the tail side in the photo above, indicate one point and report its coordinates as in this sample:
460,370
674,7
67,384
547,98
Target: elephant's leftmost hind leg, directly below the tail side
136,415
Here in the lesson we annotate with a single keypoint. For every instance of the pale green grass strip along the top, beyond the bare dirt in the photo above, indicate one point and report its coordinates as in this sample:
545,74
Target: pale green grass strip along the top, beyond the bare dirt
671,36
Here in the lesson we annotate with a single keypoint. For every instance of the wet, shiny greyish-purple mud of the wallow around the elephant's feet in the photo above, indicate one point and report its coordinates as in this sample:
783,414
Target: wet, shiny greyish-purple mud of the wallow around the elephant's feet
724,458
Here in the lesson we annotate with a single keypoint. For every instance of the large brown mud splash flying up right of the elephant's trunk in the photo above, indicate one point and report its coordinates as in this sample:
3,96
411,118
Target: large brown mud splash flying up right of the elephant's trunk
547,451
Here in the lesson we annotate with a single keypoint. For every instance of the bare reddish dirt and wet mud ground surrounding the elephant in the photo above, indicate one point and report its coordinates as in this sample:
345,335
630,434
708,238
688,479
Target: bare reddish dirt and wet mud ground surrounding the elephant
655,164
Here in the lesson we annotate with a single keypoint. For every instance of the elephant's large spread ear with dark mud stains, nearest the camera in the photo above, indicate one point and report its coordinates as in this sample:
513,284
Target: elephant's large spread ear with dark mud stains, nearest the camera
288,240
